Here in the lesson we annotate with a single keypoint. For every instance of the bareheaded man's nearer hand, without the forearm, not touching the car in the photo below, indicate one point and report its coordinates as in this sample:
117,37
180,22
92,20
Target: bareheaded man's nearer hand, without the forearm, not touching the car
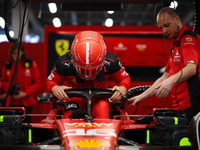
164,88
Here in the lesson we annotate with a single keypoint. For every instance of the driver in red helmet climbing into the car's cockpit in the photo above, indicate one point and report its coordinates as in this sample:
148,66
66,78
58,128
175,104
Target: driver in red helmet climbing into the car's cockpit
87,64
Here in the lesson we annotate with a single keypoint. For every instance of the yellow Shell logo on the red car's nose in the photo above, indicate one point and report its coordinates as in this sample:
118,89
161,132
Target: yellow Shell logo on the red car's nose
89,143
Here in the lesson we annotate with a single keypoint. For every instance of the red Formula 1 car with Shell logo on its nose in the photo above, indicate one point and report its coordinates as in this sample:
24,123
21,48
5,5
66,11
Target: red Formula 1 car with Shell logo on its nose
163,128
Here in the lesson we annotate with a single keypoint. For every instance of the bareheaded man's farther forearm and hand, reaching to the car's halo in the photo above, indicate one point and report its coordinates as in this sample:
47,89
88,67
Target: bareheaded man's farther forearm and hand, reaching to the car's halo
150,91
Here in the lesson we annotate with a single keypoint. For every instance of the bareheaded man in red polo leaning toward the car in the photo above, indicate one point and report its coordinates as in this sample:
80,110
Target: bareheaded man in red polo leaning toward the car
181,75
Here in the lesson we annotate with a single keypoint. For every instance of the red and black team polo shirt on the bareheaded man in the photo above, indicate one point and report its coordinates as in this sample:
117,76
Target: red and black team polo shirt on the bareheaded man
185,50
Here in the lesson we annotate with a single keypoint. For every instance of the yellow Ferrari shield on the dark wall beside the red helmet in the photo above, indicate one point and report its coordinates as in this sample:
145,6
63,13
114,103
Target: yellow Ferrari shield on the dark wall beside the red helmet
61,46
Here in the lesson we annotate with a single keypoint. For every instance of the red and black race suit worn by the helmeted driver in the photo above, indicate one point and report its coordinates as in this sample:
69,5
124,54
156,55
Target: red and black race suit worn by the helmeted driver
64,73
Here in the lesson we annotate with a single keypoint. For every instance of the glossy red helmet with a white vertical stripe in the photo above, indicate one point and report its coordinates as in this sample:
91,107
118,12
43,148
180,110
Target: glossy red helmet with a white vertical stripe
88,52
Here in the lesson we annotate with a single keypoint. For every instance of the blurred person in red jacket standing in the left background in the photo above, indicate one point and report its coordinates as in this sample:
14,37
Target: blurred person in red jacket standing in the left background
26,82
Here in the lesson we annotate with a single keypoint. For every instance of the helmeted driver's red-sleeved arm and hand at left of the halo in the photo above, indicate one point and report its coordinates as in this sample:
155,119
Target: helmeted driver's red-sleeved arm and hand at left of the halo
54,85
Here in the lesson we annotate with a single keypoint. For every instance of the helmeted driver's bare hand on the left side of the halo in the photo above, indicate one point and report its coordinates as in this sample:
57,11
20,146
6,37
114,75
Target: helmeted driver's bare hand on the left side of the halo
59,92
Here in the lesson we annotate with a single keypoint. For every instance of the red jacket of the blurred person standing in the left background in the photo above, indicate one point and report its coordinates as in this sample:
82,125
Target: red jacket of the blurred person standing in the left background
27,76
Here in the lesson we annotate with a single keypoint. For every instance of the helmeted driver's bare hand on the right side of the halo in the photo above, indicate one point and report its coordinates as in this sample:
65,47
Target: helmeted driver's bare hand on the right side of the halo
117,96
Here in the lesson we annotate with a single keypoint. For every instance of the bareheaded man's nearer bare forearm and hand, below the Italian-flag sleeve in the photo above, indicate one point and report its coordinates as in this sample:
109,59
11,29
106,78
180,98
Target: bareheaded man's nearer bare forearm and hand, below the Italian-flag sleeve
165,87
